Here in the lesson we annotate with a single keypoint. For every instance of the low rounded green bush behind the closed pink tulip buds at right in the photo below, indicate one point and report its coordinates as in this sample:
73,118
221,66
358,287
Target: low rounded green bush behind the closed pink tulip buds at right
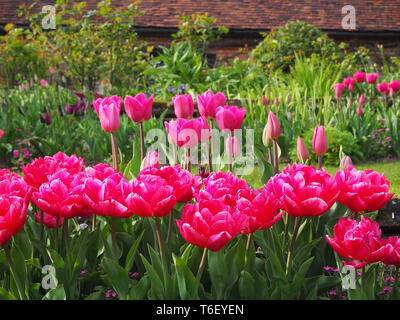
337,141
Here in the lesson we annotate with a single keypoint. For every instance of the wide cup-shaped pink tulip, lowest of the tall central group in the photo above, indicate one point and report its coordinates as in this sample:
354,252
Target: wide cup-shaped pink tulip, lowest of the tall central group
185,133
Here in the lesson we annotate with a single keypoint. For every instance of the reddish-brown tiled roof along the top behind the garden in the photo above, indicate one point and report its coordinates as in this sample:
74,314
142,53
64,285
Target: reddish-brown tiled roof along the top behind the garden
371,15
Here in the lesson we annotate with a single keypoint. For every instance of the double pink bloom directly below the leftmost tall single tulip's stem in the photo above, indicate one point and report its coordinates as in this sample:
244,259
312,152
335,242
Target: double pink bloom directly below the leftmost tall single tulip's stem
108,197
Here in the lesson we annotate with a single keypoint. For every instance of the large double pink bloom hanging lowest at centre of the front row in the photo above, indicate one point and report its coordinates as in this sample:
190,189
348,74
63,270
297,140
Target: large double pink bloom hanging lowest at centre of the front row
210,224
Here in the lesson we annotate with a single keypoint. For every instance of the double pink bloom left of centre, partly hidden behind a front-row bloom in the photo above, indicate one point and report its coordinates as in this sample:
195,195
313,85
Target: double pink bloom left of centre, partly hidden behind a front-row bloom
182,181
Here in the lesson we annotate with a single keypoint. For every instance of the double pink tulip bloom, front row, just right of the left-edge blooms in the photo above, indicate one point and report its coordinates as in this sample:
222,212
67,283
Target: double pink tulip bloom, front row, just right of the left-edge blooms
62,195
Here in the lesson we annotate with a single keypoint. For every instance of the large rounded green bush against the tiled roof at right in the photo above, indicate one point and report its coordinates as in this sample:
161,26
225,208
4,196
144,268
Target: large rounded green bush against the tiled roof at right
279,47
